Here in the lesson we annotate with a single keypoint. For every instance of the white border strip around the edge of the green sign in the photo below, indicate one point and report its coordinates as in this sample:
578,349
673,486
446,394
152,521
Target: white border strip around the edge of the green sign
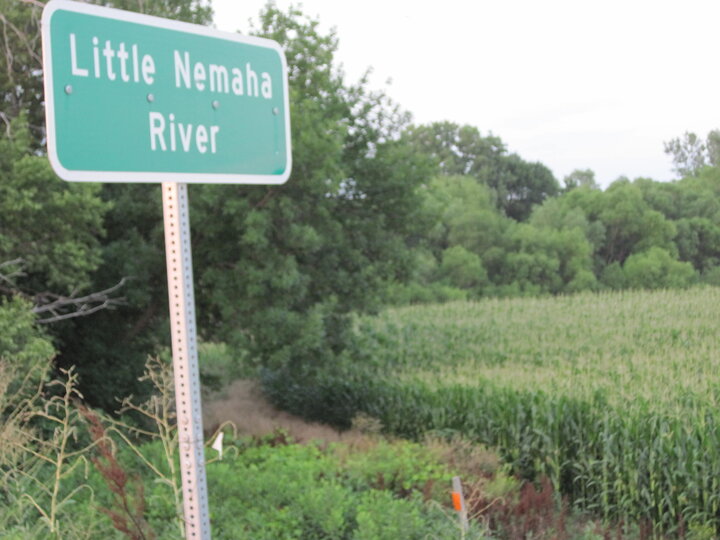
150,176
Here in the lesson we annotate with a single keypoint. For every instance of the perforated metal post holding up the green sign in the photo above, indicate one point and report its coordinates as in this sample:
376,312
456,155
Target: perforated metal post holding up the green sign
185,362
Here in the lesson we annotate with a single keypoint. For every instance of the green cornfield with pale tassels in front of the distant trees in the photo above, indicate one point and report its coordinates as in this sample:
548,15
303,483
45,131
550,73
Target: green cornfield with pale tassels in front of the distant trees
613,397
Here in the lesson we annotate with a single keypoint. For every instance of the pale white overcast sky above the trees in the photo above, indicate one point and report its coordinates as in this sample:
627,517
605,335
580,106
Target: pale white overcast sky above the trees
570,83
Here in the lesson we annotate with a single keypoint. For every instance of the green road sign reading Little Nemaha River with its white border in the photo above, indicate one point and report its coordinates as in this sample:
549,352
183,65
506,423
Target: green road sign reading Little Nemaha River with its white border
133,98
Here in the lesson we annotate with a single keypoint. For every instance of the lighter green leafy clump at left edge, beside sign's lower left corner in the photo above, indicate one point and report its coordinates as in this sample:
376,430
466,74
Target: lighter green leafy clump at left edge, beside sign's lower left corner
53,226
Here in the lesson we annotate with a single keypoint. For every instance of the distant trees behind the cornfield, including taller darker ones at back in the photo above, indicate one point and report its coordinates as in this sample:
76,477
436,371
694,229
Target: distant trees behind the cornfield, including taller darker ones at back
485,236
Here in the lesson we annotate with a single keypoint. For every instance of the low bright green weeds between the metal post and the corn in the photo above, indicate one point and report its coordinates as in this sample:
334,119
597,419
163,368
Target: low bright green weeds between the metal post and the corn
305,492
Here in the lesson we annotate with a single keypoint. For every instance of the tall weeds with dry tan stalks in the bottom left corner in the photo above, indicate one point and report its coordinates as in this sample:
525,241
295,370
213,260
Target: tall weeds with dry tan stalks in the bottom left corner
42,460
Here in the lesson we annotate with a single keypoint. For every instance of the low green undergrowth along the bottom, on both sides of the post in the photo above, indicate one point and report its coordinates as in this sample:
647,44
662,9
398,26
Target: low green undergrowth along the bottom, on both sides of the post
266,489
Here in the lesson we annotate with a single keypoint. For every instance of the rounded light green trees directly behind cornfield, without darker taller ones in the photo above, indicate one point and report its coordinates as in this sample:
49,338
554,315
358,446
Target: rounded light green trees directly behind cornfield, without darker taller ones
578,241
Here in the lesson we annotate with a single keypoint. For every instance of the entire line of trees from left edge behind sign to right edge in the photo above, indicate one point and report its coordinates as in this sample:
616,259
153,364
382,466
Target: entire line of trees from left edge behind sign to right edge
376,211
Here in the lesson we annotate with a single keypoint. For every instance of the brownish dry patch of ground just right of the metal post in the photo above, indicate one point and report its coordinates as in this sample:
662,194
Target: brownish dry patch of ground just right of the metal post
243,404
